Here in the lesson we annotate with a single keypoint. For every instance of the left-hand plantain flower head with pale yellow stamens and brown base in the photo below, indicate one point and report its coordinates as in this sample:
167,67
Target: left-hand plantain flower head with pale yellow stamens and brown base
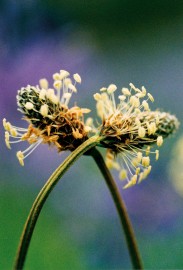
51,121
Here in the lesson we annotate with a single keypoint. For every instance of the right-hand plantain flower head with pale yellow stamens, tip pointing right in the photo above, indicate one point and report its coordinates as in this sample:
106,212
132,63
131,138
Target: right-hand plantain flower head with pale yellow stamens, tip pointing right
129,130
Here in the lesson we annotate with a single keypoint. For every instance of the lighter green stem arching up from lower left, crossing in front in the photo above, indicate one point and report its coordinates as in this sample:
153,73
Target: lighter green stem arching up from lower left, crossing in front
42,196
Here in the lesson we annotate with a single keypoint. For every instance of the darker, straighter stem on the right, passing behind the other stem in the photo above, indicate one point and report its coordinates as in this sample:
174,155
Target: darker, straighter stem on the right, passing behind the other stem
121,208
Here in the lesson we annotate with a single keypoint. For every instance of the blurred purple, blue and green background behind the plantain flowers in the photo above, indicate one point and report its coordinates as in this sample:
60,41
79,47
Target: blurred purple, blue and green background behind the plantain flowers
106,42
